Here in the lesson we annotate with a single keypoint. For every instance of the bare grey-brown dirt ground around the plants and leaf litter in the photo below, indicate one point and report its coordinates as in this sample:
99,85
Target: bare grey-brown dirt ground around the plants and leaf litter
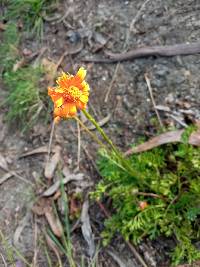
97,26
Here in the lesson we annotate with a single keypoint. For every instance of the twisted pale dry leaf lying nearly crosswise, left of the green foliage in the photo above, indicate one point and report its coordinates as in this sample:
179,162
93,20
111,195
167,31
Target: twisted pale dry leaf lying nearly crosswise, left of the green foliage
52,189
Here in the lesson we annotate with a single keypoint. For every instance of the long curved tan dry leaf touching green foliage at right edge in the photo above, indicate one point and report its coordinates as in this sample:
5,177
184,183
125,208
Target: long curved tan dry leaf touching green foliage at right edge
165,138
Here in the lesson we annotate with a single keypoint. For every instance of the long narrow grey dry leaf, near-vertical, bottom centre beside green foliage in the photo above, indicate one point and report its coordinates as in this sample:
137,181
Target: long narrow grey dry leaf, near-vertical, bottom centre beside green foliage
86,229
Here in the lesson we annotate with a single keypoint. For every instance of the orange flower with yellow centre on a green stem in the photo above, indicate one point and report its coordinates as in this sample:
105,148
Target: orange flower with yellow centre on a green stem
70,94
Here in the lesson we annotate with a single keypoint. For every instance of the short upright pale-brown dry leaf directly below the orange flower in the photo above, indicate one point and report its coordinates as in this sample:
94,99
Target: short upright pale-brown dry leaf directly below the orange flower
52,163
